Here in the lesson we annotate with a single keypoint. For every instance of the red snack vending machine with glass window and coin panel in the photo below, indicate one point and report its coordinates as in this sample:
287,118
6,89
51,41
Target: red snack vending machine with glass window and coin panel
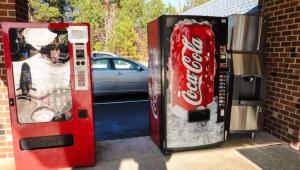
50,94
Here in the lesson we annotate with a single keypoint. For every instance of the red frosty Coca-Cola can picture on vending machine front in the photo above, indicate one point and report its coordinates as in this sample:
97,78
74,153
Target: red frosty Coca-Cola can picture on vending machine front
192,65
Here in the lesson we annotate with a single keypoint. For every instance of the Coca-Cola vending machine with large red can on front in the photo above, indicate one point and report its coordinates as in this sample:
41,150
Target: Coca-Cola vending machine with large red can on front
188,84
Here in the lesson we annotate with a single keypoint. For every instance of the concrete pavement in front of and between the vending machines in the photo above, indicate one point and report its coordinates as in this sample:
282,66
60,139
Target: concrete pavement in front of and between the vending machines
141,153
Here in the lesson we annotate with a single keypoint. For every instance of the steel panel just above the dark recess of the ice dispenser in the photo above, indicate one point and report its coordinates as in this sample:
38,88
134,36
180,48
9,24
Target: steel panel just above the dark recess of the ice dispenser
247,64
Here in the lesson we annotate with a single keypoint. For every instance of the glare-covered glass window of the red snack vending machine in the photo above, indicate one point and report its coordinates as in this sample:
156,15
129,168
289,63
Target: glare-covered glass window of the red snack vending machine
41,72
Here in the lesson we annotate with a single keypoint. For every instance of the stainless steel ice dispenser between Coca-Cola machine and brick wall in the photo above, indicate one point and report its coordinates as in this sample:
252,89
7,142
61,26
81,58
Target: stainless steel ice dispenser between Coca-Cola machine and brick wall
245,47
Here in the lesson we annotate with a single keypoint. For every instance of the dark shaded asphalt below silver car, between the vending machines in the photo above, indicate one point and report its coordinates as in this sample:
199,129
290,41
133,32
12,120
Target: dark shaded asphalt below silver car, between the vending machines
121,116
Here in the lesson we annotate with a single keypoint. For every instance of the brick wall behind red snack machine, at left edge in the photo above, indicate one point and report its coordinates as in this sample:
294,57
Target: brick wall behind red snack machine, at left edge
10,10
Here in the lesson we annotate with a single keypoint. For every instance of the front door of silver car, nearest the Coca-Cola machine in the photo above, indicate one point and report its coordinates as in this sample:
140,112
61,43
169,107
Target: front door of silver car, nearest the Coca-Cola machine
128,77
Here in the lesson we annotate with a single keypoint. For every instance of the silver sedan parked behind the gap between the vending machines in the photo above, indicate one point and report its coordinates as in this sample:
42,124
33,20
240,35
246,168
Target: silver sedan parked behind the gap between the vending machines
113,74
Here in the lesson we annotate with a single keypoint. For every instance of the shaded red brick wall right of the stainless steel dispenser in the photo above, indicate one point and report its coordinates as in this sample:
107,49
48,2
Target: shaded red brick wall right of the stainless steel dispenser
282,110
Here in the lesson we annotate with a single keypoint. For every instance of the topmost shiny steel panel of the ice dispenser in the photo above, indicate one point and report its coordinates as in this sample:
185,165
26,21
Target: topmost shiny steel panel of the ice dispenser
245,33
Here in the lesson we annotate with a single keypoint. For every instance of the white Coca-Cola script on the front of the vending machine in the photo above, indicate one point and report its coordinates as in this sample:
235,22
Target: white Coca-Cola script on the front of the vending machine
193,94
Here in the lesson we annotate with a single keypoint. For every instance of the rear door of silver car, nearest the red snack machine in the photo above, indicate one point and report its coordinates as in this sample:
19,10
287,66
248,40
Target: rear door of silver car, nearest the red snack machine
103,77
